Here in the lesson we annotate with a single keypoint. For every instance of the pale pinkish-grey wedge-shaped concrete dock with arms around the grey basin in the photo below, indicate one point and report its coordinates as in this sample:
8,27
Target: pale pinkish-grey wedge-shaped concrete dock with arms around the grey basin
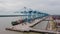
29,27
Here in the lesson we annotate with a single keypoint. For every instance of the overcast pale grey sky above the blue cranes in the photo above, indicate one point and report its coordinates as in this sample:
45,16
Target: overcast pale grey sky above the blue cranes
48,6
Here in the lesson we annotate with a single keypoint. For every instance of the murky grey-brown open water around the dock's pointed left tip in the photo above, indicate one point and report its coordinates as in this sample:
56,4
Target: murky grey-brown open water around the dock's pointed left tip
6,22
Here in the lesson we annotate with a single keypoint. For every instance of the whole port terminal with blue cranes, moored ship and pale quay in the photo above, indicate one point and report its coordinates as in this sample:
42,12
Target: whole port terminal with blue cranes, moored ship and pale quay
37,23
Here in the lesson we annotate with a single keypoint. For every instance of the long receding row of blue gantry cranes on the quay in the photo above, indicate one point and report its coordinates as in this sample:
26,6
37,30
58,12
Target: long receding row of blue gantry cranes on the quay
33,14
